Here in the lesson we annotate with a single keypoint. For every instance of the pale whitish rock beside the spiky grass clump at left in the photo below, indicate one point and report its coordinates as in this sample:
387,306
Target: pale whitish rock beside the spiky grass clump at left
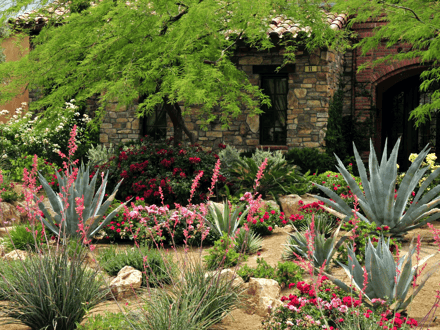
128,280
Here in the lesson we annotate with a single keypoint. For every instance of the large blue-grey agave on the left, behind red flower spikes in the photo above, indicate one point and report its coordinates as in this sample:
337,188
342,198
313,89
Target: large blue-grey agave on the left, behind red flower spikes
67,216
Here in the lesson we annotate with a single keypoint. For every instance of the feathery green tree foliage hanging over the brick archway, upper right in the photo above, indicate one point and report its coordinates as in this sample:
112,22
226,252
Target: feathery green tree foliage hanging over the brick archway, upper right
411,22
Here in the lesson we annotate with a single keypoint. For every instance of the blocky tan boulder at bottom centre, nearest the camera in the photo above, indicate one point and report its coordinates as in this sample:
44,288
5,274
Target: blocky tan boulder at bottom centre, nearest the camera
264,295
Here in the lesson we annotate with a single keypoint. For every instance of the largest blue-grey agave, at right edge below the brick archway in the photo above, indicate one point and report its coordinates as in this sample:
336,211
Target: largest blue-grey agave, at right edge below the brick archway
379,203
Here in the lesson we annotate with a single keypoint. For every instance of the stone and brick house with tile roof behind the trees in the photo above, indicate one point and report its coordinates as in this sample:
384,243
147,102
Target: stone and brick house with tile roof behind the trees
300,95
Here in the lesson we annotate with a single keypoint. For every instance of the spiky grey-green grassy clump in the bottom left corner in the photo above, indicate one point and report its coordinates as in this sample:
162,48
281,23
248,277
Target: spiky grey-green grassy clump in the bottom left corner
52,290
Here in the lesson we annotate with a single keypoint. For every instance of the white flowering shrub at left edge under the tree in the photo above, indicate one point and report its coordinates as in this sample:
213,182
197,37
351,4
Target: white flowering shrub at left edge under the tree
26,133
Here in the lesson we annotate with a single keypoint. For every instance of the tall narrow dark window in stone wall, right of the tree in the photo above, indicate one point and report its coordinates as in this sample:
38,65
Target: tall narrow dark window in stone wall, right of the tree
273,130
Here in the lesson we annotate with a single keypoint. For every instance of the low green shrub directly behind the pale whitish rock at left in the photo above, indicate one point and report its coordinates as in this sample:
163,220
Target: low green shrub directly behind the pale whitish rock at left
158,269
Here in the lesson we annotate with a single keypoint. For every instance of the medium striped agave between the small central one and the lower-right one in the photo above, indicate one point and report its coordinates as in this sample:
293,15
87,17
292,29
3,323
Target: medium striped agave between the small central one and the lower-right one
323,251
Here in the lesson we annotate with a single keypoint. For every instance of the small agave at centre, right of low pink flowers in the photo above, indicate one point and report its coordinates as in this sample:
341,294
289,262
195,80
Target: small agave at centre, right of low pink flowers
226,222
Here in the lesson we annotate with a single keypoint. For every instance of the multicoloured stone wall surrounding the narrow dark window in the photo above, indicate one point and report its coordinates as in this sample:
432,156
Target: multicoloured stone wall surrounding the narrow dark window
311,88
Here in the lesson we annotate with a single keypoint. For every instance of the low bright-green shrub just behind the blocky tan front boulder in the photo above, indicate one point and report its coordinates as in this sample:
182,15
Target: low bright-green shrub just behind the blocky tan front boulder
284,273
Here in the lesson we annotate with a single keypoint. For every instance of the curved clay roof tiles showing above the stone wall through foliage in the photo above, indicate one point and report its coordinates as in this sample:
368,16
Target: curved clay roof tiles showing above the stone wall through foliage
281,26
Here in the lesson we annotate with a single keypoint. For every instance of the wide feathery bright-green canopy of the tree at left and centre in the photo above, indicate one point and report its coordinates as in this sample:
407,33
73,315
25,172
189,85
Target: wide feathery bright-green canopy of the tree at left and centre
164,51
